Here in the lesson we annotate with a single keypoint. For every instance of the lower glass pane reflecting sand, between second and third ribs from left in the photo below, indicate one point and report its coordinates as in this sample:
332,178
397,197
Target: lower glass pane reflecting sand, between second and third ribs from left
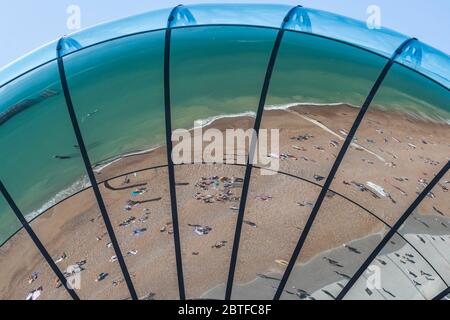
139,207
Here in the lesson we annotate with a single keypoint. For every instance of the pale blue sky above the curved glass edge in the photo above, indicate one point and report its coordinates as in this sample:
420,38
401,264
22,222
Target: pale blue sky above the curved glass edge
28,24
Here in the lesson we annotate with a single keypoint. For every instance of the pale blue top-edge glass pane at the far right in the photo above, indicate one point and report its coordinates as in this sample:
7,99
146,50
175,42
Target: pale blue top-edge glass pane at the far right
430,61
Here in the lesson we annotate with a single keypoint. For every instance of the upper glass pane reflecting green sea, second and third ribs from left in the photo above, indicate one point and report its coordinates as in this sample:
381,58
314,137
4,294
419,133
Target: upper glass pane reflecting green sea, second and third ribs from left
117,92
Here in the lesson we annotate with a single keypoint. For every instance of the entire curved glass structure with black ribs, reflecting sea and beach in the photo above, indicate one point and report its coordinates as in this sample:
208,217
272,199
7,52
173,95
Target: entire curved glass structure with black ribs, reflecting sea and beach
348,140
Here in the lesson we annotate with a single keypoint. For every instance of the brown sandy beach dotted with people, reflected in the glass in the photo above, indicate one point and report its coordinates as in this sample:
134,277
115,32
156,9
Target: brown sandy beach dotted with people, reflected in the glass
390,162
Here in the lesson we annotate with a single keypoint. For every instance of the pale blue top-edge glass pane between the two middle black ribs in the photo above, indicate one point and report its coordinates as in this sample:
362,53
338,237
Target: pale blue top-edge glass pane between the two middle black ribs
267,15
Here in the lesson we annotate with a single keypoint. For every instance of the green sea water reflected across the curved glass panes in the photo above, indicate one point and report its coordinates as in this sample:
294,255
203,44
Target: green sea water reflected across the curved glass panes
117,91
